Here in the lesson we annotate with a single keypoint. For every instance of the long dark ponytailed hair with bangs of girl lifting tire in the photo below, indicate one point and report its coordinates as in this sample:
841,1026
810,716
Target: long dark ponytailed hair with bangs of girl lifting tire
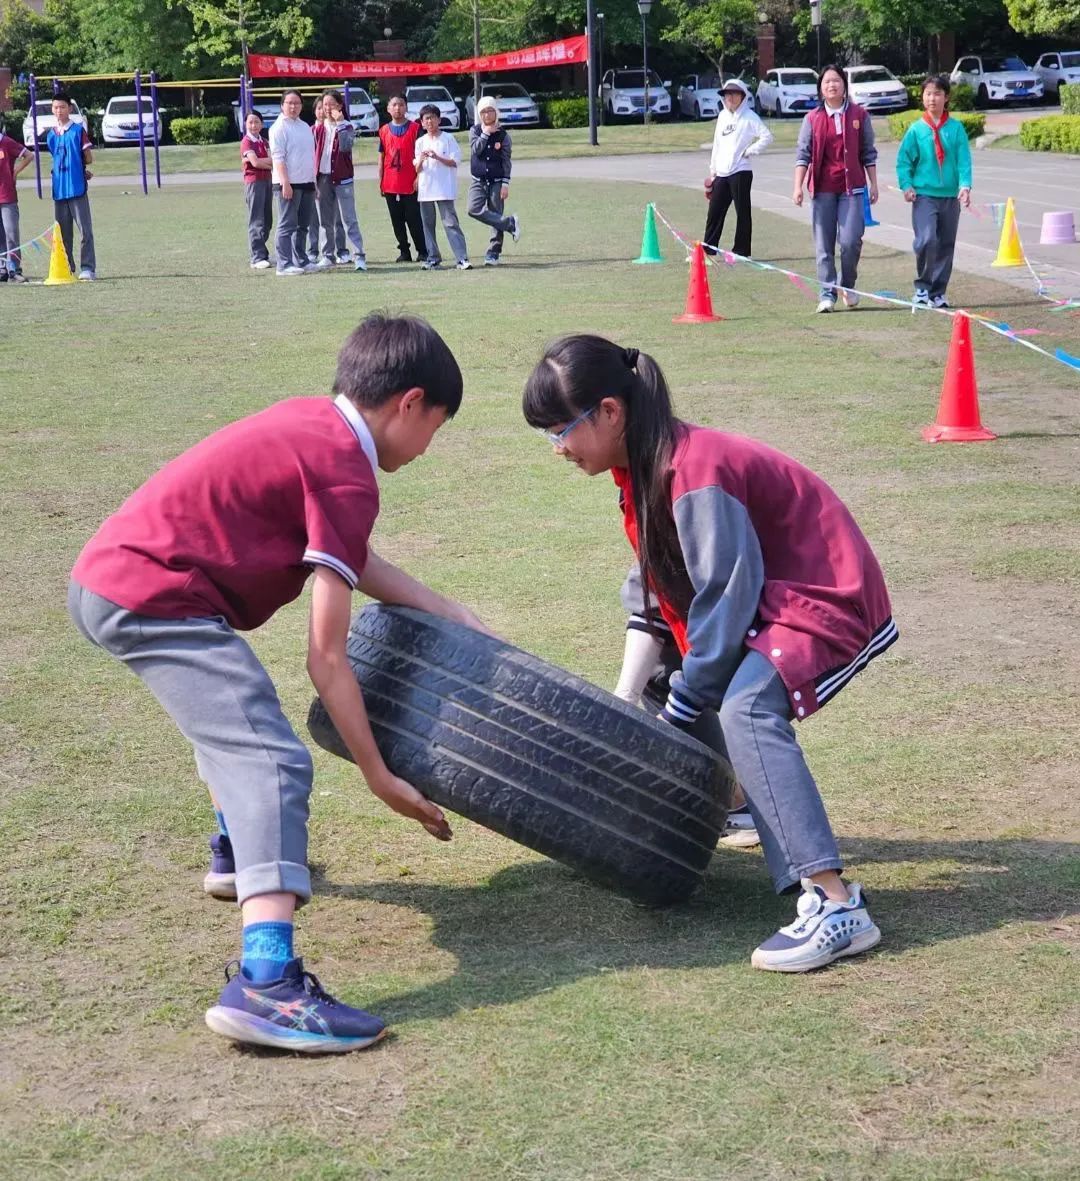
575,375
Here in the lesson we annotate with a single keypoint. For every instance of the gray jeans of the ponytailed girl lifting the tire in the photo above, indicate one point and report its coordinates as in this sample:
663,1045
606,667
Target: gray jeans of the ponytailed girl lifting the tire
754,732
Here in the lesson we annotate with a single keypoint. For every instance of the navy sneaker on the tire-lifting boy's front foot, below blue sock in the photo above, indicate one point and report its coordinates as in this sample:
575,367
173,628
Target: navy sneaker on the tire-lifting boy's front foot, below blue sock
294,1014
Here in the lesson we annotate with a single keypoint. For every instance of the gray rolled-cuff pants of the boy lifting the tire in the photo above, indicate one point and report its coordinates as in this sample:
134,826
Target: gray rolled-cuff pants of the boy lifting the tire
211,684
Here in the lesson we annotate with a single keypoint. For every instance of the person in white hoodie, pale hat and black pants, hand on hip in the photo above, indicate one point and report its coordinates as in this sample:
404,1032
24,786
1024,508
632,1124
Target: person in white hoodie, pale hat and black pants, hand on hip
740,136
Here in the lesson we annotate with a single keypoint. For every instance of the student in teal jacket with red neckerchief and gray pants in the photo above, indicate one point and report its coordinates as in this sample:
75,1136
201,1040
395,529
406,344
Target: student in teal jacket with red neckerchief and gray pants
934,169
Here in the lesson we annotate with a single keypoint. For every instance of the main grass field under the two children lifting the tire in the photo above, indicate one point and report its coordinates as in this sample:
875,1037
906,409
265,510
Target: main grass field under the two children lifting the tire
545,1029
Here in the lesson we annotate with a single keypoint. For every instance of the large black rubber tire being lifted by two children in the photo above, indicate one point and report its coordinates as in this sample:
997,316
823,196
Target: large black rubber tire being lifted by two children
537,754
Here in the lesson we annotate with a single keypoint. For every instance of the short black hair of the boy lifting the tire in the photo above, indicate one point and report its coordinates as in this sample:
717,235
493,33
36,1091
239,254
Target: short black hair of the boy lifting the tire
388,355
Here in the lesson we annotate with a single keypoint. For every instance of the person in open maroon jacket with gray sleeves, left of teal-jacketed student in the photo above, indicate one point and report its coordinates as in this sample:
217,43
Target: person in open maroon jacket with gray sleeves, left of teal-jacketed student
836,155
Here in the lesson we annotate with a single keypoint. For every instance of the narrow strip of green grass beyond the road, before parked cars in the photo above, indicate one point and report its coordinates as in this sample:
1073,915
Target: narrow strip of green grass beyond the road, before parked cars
530,143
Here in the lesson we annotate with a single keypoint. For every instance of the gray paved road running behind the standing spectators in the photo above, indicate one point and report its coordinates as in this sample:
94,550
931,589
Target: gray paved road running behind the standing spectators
1037,184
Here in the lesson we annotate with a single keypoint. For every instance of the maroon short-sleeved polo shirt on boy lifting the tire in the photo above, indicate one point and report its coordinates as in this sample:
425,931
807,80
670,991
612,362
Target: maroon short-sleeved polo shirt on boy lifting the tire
235,526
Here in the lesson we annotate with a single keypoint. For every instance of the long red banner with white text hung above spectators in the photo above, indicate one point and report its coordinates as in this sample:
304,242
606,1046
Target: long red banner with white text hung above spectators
570,51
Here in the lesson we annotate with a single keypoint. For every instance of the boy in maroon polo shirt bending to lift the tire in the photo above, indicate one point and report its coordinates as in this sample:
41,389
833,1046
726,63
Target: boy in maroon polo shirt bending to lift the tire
214,544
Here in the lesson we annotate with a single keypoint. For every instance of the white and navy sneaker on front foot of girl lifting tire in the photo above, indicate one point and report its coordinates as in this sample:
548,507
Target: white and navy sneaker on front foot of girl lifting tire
824,931
